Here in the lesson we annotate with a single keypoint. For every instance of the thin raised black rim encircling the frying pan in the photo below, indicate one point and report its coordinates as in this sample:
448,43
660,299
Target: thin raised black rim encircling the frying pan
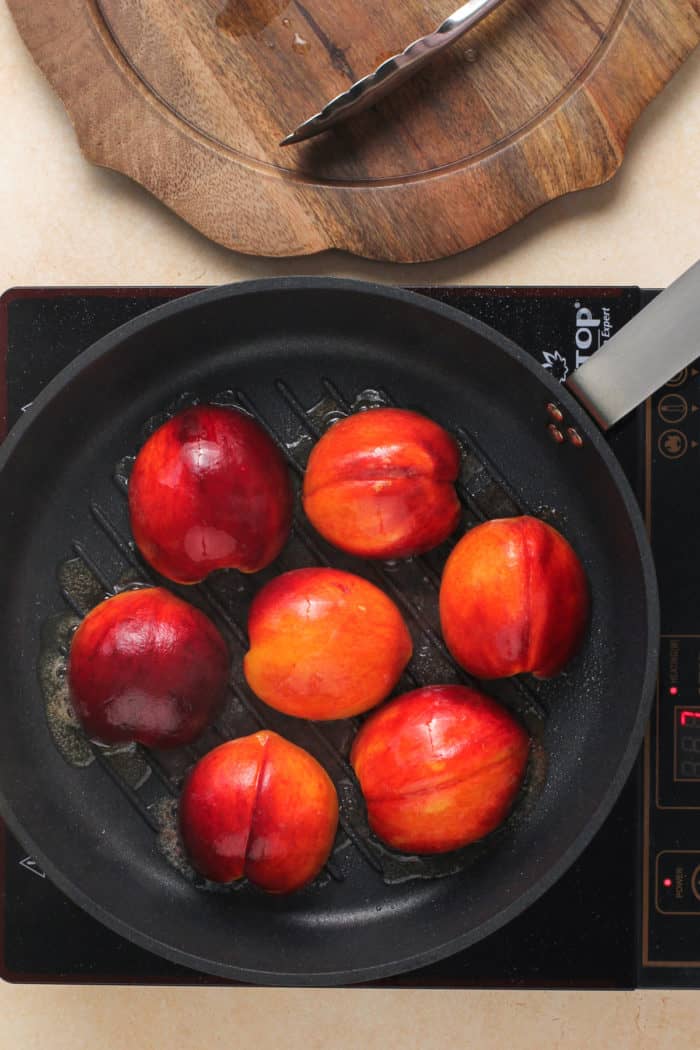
426,957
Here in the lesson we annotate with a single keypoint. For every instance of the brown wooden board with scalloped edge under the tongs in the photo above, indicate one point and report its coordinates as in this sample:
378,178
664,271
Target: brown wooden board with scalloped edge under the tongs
192,99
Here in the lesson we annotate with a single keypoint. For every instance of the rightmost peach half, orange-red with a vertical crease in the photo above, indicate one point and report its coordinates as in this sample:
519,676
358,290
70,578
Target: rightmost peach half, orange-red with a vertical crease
514,598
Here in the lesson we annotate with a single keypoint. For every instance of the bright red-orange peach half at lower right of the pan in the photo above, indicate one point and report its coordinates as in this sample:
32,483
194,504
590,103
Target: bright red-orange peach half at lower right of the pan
439,768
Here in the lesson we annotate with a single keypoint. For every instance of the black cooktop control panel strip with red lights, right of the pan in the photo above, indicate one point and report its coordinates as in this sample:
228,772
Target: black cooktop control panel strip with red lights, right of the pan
671,827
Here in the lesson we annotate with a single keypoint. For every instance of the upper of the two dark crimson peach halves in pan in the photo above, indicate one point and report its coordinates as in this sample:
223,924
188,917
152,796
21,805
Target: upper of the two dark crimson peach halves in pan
209,491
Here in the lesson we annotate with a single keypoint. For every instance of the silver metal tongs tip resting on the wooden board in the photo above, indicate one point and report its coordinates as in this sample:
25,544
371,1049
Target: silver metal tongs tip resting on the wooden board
394,72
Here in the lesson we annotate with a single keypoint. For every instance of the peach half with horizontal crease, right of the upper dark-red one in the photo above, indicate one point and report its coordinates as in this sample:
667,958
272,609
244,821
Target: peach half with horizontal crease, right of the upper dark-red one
380,485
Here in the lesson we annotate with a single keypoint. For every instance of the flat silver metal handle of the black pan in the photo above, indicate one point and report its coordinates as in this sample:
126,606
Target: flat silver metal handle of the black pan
659,343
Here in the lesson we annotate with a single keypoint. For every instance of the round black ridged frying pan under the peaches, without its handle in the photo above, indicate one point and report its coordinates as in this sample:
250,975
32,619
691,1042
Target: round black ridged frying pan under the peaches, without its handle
298,353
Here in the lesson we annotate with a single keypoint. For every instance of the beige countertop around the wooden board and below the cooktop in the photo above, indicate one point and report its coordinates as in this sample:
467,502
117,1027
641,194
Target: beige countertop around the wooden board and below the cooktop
65,222
